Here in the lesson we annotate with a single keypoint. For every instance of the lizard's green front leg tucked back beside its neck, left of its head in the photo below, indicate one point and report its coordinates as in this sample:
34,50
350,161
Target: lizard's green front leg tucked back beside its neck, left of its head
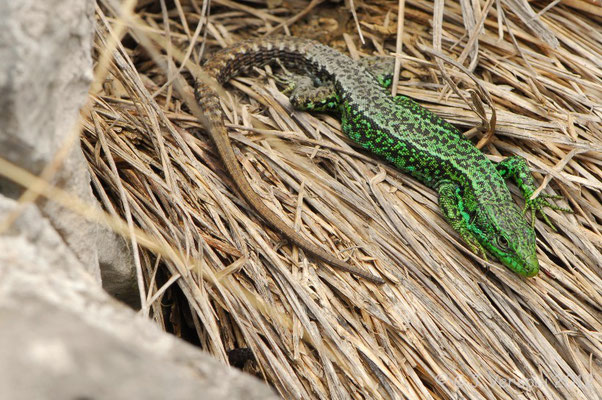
453,207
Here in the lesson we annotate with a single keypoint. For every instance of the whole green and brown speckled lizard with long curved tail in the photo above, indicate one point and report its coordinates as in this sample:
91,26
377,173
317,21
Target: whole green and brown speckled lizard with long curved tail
472,191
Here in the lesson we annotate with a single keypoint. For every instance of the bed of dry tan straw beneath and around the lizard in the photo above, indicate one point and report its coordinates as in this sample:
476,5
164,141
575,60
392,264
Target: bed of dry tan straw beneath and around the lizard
447,324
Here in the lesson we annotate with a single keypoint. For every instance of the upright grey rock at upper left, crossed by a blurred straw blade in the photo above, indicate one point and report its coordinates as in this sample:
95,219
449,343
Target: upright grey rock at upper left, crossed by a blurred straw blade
45,72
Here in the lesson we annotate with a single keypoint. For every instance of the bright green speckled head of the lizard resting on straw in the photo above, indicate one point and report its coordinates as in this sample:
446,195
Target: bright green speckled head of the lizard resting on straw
505,233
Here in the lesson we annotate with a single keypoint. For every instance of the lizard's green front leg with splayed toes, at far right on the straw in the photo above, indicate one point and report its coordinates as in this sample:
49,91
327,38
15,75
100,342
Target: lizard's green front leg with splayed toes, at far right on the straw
516,168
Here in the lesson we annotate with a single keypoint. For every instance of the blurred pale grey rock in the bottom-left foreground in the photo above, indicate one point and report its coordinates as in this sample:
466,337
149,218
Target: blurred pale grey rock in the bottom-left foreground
63,337
